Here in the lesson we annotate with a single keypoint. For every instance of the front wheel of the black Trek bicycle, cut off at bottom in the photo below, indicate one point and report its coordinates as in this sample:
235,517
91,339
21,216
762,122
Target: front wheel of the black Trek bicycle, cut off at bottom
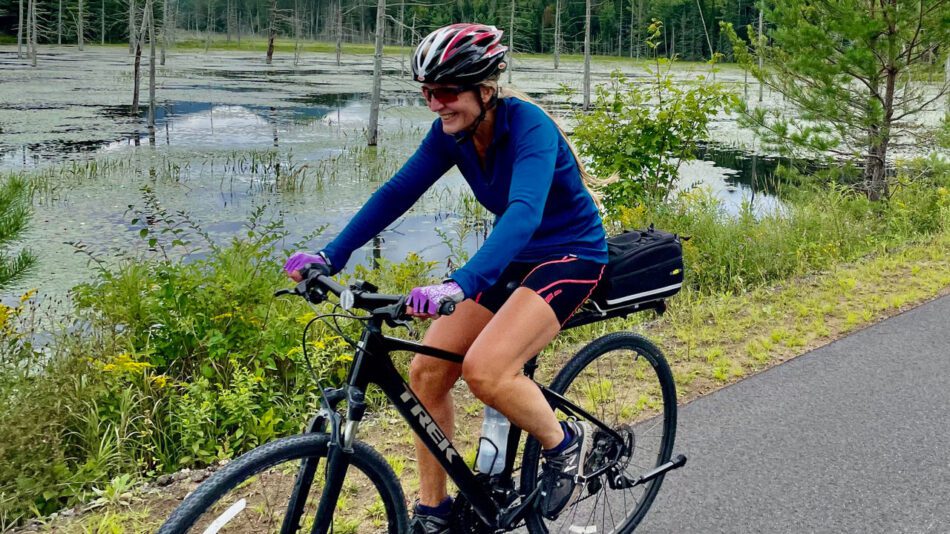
252,493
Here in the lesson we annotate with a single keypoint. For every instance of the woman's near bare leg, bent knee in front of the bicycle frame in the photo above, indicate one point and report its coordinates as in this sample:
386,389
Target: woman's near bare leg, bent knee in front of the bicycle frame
493,365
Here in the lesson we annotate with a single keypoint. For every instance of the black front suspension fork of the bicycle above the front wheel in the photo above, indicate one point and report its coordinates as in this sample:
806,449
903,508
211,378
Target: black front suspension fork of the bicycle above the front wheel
338,459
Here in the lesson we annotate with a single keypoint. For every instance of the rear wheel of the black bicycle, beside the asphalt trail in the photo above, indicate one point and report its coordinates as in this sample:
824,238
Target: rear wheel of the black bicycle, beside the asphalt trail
623,380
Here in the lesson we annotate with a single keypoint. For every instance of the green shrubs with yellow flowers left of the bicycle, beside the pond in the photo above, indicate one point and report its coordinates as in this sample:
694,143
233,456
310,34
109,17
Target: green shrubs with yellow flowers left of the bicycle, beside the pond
171,363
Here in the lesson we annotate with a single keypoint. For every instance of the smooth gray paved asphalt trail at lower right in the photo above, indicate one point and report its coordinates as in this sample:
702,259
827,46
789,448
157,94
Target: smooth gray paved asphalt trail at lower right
853,437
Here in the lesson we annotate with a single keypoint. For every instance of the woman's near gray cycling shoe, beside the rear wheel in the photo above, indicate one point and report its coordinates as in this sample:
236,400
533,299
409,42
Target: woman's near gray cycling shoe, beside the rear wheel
558,486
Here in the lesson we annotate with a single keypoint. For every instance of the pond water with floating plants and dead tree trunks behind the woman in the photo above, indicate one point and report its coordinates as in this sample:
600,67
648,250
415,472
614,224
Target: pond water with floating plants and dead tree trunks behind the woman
233,134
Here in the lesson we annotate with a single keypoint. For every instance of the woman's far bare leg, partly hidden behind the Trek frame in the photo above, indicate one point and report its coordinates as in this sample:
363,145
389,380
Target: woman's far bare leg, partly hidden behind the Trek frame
432,380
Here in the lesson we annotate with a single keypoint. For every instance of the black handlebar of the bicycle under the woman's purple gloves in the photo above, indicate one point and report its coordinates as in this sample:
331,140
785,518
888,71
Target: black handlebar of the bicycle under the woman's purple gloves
363,295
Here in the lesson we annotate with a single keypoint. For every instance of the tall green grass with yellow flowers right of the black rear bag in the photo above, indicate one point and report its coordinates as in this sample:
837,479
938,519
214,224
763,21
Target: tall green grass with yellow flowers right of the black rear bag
818,227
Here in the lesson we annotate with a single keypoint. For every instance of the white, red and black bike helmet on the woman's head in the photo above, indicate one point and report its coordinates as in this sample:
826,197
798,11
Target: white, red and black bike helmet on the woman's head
463,54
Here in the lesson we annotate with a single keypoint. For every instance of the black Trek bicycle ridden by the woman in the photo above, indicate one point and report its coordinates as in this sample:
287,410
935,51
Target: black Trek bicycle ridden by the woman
275,487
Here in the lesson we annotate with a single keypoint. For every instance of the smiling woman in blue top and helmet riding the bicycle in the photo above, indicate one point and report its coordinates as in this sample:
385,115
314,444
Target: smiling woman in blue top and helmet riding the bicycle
543,259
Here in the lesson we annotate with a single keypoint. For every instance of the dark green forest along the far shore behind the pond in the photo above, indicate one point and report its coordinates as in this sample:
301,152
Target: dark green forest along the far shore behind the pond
618,27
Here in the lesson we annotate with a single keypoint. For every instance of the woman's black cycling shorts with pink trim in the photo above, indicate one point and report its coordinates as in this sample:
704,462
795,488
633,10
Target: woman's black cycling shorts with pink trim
564,283
